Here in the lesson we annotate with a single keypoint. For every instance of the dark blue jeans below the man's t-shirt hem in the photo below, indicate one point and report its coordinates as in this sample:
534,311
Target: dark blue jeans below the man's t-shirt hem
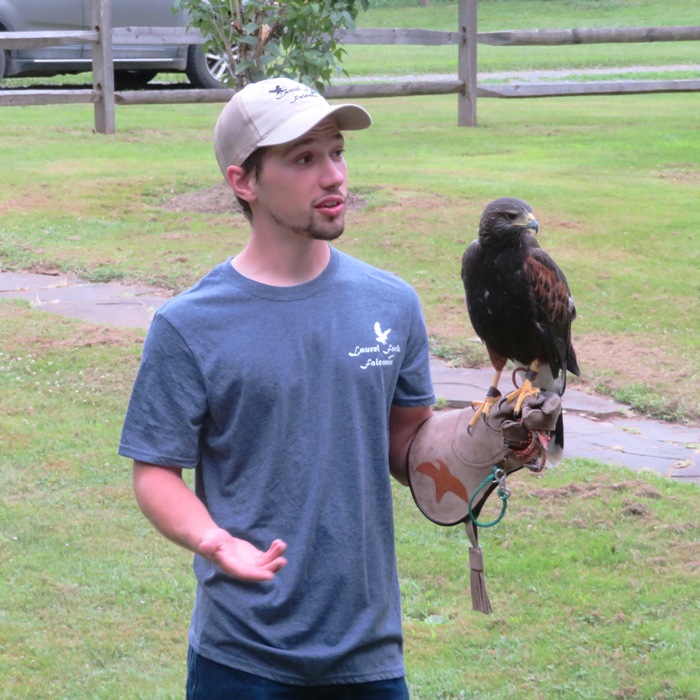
208,680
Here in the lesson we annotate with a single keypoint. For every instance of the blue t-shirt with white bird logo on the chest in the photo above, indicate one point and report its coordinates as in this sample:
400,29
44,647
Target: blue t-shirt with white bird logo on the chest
279,398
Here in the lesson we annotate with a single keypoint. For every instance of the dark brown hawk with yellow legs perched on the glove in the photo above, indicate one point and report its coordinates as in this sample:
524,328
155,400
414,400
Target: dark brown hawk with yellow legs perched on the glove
520,305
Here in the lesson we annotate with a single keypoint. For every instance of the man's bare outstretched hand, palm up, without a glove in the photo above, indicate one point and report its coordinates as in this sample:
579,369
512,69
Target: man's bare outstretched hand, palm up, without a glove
241,559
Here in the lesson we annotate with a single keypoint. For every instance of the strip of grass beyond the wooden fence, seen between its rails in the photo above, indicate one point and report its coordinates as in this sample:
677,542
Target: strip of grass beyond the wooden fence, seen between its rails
499,15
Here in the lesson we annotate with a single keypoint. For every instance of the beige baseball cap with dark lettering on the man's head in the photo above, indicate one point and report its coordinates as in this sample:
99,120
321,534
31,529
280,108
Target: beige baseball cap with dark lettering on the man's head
272,112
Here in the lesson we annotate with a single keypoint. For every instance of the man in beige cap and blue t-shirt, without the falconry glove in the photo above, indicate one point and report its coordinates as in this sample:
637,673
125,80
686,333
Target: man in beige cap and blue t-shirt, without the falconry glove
292,379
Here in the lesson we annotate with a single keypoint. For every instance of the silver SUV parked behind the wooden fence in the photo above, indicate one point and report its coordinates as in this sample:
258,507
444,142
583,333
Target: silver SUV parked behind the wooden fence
134,66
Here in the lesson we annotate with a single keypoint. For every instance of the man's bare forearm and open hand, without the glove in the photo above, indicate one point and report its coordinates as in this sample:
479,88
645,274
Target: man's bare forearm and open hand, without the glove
177,513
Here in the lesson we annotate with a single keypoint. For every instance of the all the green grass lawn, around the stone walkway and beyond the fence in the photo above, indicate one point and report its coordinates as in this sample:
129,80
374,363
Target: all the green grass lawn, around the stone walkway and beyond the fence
592,574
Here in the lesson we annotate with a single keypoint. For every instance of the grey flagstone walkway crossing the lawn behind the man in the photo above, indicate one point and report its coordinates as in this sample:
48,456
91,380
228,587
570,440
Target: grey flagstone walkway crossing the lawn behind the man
596,428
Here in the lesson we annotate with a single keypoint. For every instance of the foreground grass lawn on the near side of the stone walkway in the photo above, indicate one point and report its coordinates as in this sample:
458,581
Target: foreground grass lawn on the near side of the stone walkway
592,574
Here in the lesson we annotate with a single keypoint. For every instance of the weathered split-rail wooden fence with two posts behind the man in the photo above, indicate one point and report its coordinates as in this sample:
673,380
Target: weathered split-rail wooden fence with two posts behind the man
464,84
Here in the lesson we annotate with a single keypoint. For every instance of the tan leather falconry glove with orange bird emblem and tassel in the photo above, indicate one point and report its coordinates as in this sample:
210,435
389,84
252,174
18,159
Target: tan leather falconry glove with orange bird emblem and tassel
450,464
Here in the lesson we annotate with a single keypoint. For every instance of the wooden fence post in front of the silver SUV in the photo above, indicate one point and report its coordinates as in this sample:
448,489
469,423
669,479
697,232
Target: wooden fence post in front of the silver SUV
103,67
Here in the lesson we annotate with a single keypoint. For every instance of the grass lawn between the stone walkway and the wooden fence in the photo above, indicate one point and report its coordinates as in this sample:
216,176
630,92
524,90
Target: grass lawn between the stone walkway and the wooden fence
613,182
